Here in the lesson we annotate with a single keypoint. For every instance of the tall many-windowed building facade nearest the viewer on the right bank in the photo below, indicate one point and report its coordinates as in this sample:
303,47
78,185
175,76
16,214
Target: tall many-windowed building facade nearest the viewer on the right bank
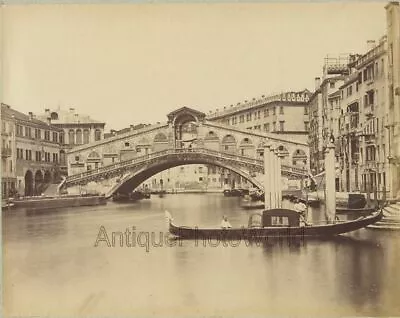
362,142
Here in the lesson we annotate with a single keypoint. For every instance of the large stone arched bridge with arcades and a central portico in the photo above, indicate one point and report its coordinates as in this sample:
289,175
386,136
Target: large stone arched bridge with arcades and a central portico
123,162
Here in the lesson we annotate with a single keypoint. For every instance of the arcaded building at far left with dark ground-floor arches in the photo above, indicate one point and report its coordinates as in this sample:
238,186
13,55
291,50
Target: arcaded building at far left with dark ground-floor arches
31,157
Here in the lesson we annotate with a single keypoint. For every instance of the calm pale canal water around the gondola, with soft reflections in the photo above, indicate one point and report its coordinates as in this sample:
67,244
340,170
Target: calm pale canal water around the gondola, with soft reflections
52,267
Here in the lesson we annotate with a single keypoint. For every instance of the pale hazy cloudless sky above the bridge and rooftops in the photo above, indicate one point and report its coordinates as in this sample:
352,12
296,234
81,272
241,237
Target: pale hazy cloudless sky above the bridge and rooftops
127,64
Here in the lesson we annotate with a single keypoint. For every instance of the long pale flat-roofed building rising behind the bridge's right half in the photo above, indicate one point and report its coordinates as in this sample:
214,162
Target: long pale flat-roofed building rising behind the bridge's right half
276,114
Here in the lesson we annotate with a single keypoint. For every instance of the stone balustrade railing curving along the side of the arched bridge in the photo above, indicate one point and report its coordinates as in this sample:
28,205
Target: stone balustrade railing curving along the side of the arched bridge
178,151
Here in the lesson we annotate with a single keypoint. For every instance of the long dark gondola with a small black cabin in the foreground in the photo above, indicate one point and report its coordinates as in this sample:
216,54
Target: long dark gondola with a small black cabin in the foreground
274,223
